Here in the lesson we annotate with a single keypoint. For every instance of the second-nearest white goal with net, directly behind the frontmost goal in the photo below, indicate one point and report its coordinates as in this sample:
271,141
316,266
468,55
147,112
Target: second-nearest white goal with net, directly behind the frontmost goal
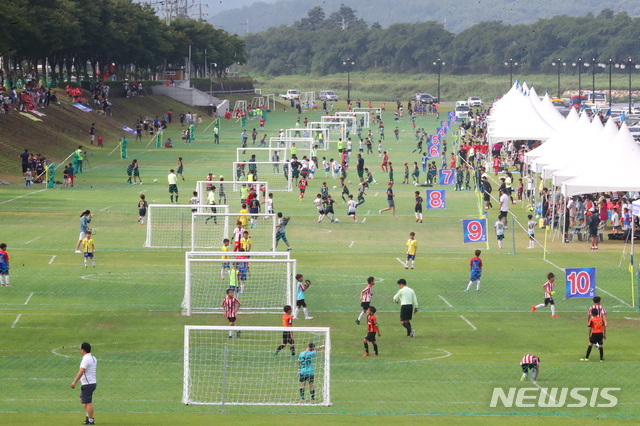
265,280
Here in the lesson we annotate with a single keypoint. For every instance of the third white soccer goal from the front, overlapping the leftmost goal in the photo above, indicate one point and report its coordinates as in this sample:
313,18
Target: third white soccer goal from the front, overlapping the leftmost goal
208,230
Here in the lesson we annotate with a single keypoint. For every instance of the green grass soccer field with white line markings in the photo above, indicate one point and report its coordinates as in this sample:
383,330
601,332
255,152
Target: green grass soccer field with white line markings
129,306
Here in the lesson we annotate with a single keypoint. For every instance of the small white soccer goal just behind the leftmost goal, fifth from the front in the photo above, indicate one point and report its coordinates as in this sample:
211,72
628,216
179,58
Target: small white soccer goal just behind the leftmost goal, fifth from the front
228,193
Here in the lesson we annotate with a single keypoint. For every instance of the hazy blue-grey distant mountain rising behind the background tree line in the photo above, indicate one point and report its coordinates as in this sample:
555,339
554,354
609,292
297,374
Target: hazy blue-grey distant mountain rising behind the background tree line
455,15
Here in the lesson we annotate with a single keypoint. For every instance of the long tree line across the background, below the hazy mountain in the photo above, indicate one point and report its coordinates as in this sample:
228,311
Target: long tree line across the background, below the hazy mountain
320,44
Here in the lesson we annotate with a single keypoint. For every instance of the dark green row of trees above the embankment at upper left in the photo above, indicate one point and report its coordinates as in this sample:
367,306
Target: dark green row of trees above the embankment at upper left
77,35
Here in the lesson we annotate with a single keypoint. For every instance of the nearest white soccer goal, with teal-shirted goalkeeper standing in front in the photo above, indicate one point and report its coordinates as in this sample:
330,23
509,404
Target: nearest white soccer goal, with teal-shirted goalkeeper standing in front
244,371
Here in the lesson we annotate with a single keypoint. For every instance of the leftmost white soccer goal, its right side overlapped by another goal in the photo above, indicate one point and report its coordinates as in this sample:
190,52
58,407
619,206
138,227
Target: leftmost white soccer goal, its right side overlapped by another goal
169,225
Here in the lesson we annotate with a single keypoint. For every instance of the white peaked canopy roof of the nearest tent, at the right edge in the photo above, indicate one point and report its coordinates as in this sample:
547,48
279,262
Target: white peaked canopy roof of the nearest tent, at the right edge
616,169
